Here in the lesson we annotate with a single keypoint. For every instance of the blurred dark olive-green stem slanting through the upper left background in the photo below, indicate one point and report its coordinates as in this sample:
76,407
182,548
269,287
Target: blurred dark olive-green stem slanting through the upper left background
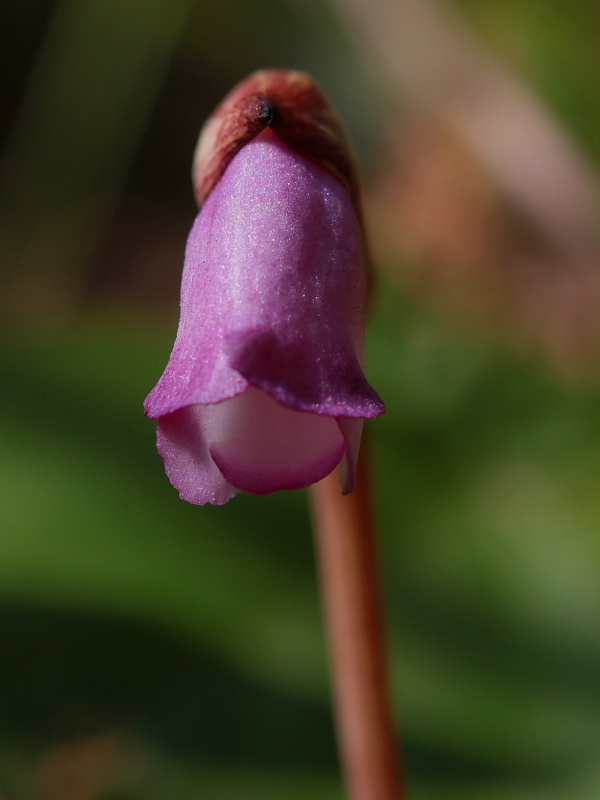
86,106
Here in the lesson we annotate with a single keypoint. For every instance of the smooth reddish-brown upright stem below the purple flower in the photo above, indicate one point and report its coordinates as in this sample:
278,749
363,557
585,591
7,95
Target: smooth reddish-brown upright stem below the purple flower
345,543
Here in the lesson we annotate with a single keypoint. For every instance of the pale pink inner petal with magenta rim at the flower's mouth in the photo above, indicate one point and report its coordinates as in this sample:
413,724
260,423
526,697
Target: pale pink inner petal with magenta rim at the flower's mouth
260,446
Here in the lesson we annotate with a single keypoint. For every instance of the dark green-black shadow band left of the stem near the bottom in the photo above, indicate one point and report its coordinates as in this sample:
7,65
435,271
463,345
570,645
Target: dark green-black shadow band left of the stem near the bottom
64,674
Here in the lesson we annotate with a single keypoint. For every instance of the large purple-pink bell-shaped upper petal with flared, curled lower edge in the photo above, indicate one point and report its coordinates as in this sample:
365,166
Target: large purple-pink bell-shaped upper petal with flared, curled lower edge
273,291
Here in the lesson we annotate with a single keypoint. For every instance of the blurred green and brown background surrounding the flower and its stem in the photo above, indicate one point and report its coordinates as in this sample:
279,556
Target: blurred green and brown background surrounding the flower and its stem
150,649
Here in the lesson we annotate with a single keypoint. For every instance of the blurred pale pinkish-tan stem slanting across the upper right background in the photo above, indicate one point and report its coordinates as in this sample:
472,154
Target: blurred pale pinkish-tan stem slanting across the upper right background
428,55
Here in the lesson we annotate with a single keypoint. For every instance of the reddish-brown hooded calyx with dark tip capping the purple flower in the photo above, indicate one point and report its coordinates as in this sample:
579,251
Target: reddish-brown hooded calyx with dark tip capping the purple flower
292,105
